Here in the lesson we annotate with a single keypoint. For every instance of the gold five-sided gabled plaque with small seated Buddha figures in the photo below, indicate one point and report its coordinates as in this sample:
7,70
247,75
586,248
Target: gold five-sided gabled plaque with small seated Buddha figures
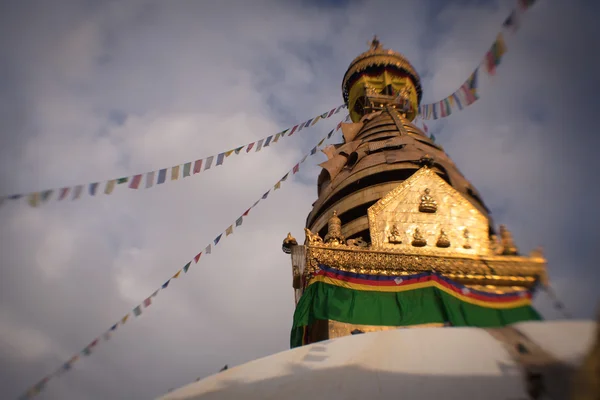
425,215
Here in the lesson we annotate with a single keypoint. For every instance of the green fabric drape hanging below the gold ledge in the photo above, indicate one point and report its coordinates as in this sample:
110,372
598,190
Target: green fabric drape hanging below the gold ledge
322,301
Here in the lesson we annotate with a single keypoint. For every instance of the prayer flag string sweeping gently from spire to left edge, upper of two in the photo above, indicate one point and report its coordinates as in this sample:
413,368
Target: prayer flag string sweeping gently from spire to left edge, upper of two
149,179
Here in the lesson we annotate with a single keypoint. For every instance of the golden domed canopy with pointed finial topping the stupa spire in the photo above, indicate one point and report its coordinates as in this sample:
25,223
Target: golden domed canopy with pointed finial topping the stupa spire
375,57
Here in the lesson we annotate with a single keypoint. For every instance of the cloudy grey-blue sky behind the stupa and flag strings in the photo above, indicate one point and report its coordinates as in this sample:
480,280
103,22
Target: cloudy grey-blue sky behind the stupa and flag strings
95,90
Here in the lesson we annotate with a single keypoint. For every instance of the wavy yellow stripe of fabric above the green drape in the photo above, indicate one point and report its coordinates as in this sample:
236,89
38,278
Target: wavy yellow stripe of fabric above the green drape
466,299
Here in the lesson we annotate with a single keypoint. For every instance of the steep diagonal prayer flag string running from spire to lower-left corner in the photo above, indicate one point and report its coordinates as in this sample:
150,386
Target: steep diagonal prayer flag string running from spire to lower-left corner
138,310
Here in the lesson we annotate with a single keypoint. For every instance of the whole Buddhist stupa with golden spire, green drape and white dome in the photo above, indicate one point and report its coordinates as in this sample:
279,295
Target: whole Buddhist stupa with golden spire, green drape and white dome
399,238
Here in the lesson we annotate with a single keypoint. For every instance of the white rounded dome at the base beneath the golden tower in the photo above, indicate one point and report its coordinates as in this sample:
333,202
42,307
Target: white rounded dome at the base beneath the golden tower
418,363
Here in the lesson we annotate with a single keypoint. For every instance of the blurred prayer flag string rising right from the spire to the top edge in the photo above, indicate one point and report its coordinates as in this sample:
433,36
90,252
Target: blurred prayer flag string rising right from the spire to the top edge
467,94
